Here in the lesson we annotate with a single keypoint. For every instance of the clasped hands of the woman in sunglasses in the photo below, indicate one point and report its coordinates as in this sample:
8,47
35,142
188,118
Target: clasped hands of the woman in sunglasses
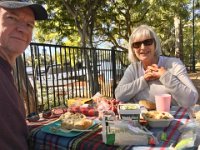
154,72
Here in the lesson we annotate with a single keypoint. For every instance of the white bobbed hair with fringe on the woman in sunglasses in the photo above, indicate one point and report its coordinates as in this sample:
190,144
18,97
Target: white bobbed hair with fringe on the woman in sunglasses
143,31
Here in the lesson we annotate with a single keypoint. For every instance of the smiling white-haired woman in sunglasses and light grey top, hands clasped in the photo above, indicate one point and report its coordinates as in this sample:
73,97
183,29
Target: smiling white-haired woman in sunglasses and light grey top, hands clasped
150,73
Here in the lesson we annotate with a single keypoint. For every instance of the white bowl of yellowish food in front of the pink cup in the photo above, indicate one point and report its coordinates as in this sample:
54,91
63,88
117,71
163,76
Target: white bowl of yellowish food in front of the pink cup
157,119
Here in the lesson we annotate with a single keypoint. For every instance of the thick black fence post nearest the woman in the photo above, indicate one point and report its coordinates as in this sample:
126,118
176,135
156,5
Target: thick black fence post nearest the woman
113,61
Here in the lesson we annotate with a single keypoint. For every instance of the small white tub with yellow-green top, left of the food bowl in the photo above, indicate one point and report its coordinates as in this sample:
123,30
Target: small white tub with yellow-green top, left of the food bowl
129,111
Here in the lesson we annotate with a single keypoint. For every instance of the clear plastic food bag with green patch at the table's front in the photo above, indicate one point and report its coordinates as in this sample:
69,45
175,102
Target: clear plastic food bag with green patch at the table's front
121,132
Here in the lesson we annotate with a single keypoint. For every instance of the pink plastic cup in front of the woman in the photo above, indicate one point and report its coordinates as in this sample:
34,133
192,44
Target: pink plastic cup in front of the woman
163,102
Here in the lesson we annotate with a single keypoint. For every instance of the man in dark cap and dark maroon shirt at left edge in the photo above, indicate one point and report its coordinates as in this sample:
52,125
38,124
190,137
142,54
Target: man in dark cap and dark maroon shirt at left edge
17,18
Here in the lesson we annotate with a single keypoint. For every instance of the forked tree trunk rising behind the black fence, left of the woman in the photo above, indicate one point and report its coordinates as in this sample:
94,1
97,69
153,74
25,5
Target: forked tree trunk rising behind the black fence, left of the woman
84,21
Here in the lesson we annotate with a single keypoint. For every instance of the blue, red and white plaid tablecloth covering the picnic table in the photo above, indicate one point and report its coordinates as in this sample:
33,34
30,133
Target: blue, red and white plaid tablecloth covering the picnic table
40,140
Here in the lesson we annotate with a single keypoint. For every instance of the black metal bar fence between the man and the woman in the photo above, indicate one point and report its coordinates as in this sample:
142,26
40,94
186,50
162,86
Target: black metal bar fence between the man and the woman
57,73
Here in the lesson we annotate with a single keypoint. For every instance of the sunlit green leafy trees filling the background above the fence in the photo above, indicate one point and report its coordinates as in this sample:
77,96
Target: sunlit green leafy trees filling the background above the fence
93,22
